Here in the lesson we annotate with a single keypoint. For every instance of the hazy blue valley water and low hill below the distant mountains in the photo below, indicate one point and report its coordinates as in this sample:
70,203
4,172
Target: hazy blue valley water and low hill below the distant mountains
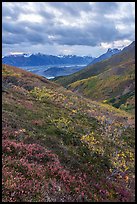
41,70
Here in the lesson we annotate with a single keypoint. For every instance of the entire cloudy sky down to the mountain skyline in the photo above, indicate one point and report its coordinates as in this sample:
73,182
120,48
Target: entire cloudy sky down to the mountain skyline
66,28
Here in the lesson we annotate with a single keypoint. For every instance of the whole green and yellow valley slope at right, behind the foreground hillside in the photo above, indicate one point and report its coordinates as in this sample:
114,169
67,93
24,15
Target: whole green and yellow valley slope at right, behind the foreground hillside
111,81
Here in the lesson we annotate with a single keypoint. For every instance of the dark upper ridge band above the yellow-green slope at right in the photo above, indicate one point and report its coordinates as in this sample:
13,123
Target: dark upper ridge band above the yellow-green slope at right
92,70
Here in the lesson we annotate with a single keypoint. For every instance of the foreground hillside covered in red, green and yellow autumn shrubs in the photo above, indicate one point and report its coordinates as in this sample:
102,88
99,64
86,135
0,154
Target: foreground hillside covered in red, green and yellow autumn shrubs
58,146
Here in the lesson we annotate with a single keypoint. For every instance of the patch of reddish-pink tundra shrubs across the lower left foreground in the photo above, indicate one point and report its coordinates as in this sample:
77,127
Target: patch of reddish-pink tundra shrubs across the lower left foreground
30,172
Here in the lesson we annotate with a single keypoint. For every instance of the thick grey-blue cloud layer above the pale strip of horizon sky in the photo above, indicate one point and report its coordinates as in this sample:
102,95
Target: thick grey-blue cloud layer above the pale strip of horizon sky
65,23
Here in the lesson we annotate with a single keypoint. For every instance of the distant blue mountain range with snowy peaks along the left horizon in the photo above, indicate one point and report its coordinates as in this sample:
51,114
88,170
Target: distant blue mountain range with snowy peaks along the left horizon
43,59
